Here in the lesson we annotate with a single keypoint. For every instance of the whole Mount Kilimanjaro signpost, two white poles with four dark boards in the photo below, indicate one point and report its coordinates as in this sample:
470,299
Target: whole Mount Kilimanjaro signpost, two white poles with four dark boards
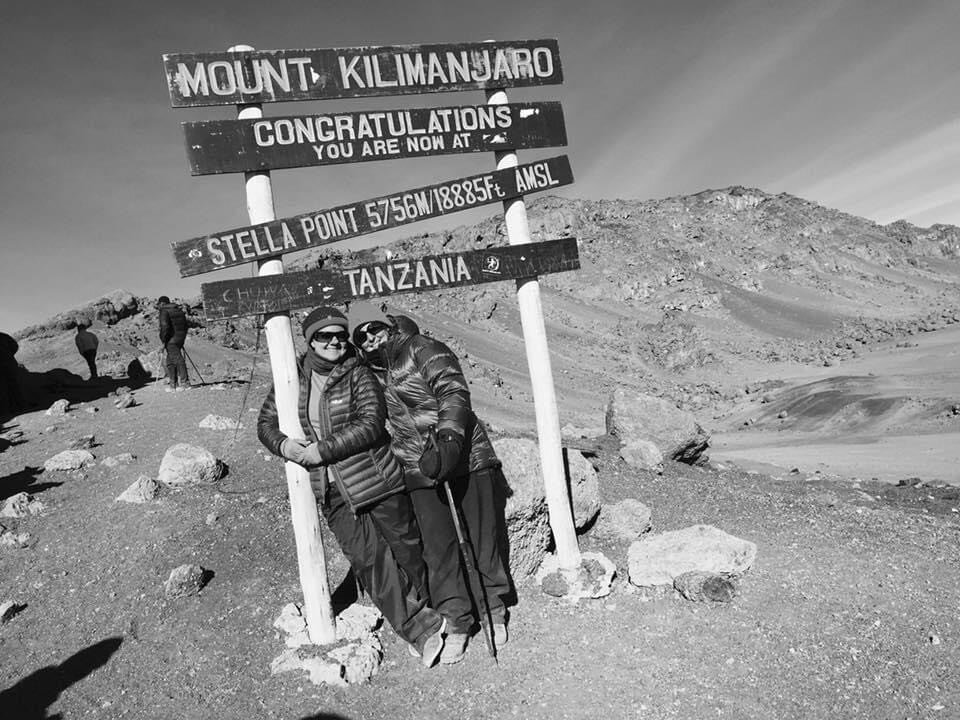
246,77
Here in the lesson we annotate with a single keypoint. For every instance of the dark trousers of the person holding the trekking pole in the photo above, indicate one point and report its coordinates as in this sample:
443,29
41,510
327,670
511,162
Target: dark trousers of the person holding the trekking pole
449,584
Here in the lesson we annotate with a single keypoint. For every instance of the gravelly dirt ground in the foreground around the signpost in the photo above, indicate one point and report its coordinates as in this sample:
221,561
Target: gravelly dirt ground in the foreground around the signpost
849,611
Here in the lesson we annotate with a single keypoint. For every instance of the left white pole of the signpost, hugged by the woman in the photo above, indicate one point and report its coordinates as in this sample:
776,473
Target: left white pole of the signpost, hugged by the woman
317,607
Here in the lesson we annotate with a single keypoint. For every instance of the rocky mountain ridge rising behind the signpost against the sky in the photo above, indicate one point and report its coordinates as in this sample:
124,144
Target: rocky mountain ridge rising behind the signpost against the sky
670,296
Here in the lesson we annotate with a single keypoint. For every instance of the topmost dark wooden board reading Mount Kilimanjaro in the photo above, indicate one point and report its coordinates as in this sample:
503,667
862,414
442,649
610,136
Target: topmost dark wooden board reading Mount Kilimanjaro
234,78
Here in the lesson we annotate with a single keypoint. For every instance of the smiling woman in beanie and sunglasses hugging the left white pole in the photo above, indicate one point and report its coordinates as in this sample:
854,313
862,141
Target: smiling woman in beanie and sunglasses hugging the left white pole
356,478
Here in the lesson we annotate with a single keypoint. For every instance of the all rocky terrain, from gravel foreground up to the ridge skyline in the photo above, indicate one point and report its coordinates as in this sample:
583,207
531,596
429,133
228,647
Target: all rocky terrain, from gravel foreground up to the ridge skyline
818,350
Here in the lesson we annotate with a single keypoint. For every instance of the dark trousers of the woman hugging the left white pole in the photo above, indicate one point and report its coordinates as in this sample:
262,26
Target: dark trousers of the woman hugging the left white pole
382,543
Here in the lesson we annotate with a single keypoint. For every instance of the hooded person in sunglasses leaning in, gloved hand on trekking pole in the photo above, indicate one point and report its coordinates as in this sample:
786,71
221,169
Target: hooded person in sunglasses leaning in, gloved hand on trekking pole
426,390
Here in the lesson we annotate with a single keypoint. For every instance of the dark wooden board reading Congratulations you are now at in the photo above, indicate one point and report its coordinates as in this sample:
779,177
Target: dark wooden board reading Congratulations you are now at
219,146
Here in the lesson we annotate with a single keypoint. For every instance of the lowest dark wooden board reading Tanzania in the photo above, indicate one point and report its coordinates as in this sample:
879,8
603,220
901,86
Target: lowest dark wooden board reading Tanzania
290,291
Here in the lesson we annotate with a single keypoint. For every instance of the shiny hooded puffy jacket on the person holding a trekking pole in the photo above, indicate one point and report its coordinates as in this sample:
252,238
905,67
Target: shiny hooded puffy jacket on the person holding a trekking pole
425,388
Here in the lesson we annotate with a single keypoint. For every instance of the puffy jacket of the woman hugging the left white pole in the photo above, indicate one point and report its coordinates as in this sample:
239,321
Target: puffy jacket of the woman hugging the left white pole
354,441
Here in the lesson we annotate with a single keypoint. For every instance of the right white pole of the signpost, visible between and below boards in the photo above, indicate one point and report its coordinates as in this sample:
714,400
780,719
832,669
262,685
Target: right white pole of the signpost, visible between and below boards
541,378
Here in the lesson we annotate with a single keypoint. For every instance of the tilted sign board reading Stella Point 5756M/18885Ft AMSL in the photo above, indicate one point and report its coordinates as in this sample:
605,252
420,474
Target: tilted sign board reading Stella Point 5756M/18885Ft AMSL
321,227
